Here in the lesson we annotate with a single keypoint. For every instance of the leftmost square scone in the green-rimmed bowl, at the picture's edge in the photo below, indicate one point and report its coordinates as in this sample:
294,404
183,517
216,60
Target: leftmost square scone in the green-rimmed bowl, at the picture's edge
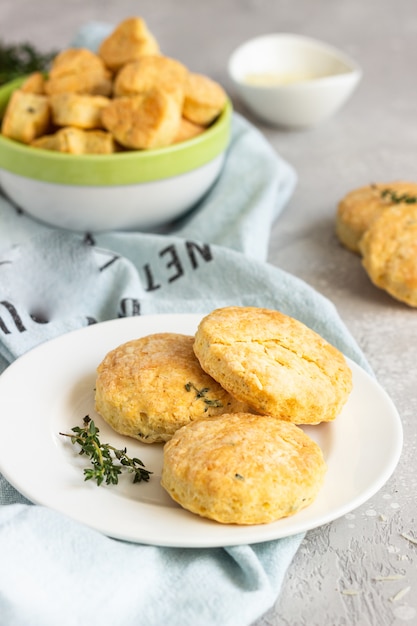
27,116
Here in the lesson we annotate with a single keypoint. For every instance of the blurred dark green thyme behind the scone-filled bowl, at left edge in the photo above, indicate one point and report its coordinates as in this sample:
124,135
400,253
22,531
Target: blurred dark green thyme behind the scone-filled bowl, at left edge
23,58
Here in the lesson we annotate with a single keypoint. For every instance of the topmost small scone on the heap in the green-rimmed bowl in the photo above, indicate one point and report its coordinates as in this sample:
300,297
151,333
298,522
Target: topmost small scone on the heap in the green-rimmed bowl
129,41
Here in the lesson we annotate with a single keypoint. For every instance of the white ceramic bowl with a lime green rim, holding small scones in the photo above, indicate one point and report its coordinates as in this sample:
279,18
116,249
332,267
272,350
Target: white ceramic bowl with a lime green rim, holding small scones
127,190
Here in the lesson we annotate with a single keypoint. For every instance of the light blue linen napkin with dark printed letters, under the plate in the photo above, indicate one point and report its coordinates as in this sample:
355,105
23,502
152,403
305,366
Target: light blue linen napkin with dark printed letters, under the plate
56,571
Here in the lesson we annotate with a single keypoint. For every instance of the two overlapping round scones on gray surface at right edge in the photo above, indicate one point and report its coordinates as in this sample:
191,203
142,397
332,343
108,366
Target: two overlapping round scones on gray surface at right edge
379,222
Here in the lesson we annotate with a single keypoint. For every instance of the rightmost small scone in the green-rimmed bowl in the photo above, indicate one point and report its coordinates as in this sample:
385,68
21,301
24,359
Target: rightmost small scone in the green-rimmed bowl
204,99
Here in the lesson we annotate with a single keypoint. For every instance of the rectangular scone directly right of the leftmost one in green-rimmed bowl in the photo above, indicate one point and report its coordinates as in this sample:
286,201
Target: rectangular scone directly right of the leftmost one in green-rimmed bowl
79,110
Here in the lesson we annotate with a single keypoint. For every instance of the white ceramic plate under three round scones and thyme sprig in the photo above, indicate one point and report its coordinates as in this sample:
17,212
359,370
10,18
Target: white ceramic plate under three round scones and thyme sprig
51,388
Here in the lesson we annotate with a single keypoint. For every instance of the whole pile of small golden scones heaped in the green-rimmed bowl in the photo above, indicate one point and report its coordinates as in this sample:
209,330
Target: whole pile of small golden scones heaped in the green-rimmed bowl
128,96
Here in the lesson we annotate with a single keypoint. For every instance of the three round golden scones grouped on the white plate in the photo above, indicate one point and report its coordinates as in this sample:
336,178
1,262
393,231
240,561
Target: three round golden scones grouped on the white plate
229,402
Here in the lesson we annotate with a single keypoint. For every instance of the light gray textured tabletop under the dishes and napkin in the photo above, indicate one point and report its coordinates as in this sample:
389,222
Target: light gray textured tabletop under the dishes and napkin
332,581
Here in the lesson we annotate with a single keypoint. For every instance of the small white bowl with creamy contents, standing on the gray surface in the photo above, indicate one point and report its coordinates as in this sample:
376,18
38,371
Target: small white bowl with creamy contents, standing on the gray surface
291,80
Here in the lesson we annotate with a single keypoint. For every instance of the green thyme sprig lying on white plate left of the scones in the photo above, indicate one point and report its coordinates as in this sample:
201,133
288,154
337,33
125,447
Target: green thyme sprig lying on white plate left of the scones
103,456
